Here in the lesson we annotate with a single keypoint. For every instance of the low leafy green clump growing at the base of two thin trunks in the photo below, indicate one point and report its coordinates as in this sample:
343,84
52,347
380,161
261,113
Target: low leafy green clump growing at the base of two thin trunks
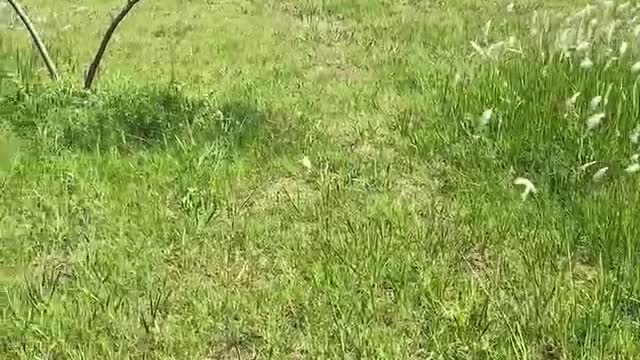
65,118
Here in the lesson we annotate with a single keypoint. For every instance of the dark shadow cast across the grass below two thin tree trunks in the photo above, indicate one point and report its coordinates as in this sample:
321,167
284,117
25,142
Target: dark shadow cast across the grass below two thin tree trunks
135,119
